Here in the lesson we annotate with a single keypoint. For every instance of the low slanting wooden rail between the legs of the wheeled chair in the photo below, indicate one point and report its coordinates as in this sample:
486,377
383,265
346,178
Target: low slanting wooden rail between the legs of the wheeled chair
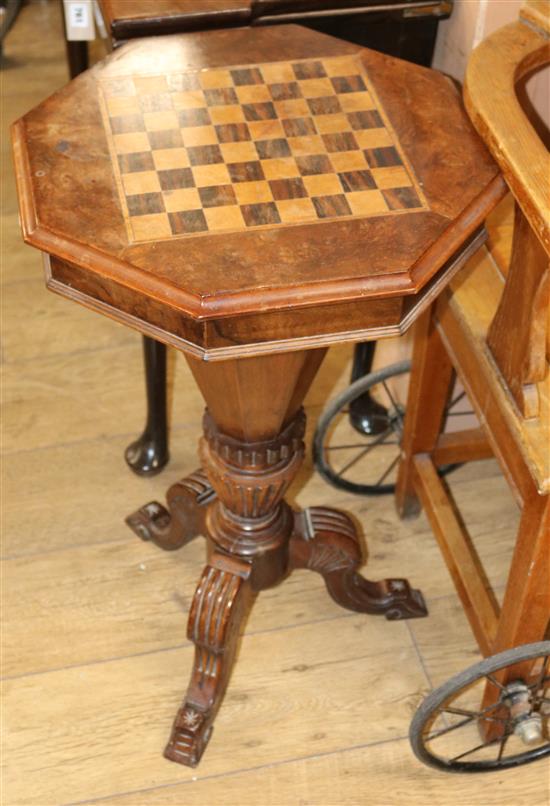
461,558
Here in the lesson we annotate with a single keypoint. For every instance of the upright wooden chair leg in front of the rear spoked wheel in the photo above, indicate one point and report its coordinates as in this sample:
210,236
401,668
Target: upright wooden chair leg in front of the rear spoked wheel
429,389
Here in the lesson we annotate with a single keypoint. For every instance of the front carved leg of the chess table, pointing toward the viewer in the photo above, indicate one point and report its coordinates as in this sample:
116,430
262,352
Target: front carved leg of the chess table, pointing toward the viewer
221,603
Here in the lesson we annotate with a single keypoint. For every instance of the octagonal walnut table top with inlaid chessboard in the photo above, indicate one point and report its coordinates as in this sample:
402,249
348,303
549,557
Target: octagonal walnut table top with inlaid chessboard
240,171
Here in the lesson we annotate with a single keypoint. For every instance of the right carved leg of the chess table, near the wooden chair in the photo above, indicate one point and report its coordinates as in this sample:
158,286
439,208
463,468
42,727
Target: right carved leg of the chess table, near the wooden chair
325,540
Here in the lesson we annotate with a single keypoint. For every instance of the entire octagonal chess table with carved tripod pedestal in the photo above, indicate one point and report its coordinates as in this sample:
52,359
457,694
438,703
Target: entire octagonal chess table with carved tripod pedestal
251,197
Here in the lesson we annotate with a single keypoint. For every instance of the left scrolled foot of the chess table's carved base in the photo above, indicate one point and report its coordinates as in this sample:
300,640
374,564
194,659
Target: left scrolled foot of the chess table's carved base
172,528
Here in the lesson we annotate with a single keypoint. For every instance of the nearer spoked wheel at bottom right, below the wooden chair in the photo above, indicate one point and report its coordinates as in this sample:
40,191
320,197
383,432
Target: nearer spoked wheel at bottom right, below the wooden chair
452,732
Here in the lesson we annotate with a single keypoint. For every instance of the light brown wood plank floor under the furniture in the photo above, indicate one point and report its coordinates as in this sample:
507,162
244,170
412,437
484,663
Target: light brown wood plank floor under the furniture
94,651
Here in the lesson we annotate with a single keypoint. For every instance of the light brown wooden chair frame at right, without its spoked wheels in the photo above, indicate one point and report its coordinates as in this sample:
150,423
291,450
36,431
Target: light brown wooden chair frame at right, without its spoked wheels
493,330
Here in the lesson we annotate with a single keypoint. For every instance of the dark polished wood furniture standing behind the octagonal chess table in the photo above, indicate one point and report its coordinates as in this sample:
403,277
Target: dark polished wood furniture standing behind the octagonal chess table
406,30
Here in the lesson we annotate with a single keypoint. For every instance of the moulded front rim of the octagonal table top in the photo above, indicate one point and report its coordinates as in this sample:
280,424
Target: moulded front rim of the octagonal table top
104,268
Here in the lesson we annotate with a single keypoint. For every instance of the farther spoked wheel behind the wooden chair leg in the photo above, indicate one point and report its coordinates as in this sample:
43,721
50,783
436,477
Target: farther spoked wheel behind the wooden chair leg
366,463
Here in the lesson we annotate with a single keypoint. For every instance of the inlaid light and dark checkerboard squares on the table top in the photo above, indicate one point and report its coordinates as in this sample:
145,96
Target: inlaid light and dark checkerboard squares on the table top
244,147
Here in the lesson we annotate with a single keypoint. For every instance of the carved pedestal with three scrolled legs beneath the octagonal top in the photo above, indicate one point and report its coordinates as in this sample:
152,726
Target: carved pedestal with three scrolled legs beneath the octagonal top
251,451
